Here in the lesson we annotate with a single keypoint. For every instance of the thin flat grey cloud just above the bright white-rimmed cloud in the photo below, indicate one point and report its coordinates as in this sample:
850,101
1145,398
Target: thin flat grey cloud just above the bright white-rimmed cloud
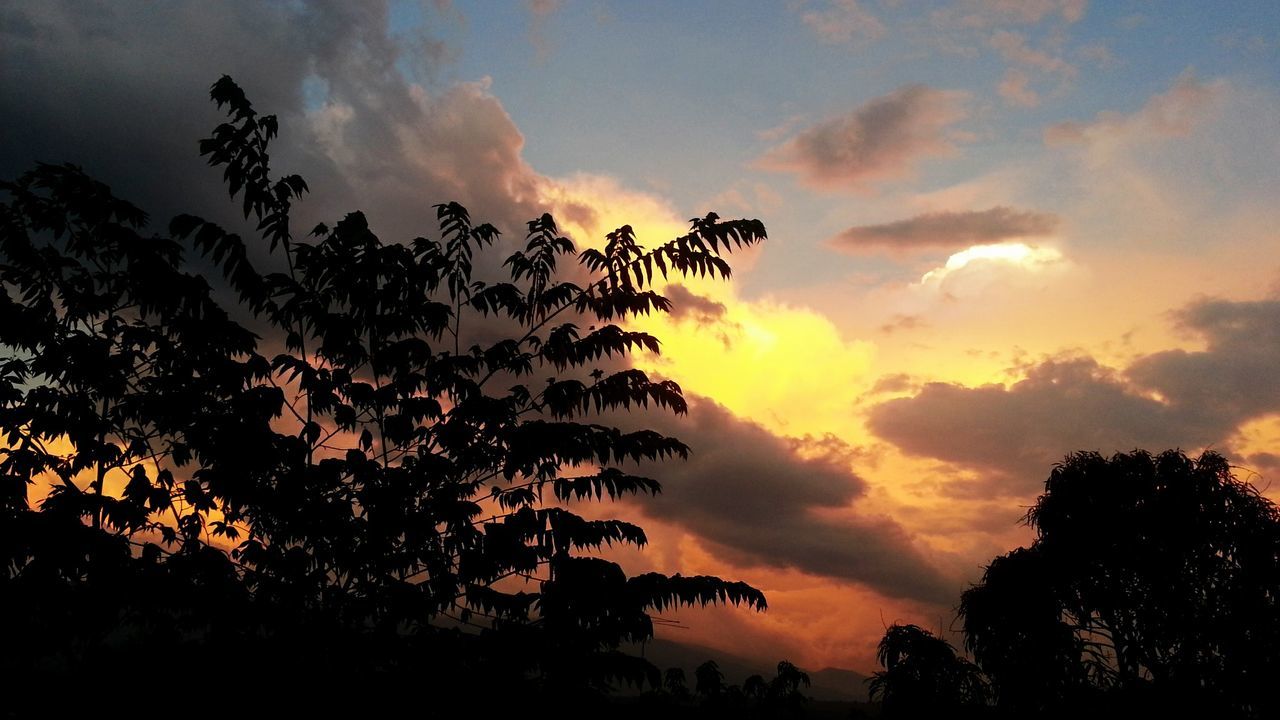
949,230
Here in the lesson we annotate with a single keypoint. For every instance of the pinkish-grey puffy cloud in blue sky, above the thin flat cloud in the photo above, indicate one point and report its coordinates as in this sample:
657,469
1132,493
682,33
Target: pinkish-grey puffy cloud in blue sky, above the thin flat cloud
880,140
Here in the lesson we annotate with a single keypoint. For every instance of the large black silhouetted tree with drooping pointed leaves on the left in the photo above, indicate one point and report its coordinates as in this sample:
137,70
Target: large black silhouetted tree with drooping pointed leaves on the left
386,481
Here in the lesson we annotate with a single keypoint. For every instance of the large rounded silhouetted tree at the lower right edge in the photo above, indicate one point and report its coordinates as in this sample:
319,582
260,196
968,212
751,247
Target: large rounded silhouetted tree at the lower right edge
1153,580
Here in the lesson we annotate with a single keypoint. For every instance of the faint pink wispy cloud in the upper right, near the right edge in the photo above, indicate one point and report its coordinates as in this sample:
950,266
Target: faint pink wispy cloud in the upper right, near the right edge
1169,115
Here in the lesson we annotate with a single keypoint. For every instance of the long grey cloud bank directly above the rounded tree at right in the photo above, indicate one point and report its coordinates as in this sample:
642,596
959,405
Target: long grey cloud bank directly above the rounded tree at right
1172,399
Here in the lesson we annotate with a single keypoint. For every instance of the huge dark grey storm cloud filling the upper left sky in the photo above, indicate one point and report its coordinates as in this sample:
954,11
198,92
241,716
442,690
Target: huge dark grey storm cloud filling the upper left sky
122,89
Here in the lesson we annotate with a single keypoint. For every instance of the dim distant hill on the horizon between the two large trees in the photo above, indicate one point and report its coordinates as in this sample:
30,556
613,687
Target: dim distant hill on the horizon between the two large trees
829,683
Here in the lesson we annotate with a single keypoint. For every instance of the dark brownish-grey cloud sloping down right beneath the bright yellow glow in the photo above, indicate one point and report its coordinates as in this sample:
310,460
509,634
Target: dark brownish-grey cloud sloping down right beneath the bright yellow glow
748,493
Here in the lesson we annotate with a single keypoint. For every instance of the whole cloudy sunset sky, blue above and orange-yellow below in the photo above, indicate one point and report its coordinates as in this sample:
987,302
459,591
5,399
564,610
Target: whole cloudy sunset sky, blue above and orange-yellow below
999,233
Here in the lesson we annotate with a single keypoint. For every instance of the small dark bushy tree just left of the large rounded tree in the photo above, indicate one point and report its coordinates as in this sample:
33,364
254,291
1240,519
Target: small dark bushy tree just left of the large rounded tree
924,677
